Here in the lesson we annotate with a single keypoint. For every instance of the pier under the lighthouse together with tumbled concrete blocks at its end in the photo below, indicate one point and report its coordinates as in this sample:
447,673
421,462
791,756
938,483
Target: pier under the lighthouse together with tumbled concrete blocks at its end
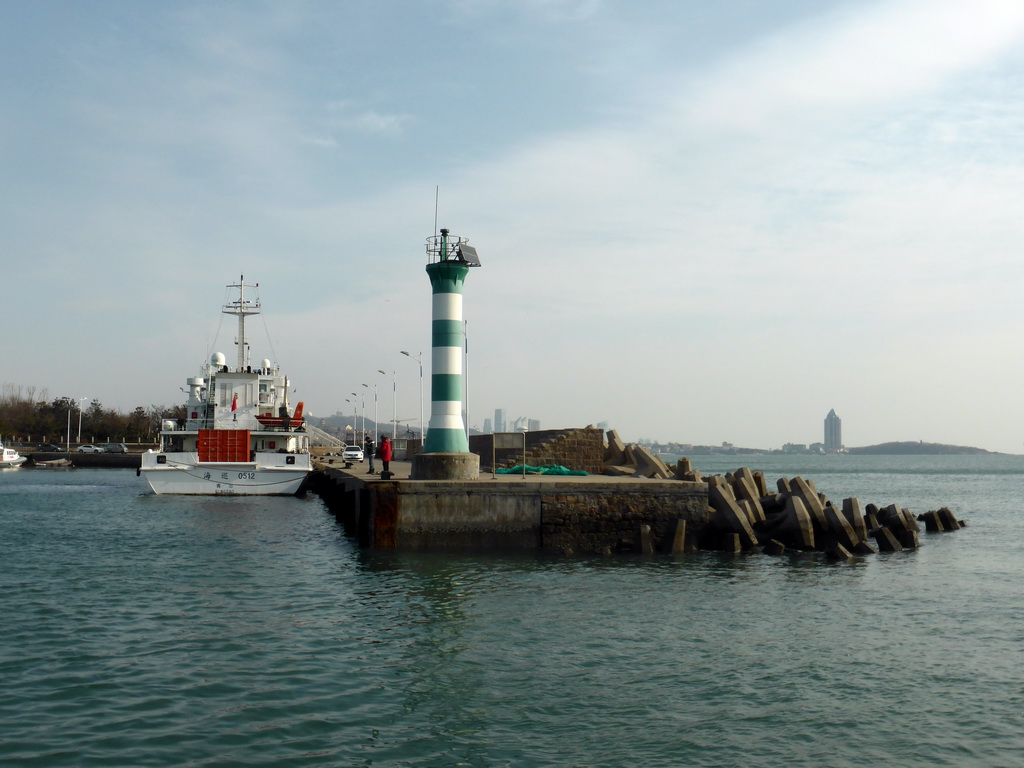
584,515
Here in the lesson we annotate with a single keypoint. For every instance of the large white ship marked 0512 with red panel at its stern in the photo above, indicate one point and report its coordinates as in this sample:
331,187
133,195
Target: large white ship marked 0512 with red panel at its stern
239,437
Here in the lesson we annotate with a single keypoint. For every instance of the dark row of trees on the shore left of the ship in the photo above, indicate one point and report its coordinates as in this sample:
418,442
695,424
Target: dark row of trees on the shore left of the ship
30,415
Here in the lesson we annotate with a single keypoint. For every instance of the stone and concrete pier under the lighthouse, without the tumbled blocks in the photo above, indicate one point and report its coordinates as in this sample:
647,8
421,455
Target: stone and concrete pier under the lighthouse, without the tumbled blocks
584,515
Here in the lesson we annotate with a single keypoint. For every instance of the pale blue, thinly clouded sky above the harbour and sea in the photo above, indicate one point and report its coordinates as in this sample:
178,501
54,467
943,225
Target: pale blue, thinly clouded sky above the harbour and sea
699,223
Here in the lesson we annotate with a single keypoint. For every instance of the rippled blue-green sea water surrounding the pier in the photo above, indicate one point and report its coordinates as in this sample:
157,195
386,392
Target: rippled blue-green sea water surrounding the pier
159,631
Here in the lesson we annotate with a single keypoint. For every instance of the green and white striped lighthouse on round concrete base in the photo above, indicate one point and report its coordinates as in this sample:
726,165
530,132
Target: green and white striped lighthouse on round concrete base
446,451
